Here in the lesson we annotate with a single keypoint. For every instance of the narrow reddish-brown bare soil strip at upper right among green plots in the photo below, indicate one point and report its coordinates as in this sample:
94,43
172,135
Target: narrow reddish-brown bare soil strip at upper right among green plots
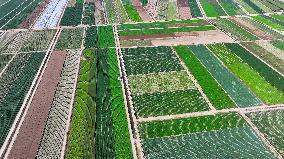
257,32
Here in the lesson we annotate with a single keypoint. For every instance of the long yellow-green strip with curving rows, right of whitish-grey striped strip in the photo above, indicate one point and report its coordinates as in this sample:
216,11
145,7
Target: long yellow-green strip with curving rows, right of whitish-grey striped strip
81,142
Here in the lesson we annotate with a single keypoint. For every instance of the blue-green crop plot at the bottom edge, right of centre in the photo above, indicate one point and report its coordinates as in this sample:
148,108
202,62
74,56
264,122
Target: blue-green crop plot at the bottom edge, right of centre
227,143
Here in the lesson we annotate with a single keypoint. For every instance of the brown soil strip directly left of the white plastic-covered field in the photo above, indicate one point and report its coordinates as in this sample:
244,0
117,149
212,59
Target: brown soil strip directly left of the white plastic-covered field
27,23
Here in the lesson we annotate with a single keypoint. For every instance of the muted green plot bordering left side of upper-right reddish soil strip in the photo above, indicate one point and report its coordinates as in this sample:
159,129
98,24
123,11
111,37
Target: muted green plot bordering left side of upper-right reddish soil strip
233,30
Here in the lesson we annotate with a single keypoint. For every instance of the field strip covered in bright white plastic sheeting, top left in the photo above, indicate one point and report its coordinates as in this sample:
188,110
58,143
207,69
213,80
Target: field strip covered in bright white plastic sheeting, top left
51,15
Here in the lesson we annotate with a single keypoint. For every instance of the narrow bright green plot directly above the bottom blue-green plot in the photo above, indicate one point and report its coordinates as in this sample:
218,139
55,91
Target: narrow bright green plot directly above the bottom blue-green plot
191,125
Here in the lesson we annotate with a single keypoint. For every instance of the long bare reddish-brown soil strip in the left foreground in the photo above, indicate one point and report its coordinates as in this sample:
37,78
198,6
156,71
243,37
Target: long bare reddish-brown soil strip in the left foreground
28,139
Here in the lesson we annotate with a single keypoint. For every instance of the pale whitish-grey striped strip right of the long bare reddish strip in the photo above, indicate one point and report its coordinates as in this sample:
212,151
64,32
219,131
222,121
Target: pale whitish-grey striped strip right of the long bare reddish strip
55,129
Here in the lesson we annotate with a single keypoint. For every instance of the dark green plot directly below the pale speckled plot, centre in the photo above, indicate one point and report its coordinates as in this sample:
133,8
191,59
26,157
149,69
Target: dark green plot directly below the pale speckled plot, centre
168,103
